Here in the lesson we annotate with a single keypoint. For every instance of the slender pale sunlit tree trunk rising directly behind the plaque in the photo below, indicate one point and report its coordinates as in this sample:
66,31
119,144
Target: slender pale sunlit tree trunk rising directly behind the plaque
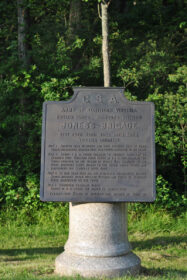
105,47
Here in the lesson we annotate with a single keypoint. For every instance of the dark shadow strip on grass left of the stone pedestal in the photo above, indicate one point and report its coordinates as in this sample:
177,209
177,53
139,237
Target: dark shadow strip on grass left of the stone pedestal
30,252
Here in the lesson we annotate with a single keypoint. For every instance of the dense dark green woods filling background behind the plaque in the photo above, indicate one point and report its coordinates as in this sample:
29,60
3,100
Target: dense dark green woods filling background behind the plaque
46,47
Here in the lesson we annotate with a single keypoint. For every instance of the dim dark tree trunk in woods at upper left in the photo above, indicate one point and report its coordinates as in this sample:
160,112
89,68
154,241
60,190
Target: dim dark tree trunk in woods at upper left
22,31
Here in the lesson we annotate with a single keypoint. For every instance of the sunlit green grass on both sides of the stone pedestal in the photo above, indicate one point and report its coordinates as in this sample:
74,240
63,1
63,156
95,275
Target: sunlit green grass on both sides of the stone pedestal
28,252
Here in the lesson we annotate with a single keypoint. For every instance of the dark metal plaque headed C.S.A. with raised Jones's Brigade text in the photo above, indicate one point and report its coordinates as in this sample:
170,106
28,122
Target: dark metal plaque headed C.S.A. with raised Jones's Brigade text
98,147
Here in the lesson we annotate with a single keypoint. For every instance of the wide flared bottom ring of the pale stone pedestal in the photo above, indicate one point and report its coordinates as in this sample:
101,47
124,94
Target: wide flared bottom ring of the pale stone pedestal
71,265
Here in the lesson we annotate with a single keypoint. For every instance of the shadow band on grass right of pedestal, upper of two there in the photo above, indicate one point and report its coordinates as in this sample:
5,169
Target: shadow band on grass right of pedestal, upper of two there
157,242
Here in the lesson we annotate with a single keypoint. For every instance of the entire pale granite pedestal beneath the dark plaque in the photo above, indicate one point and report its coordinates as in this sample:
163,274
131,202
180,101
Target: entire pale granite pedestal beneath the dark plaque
98,242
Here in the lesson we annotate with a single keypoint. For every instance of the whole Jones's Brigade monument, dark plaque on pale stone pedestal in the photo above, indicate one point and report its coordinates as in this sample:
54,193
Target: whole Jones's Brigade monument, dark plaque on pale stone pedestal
98,153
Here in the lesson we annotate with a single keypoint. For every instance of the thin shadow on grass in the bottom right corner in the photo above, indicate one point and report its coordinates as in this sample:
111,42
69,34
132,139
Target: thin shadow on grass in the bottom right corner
159,272
